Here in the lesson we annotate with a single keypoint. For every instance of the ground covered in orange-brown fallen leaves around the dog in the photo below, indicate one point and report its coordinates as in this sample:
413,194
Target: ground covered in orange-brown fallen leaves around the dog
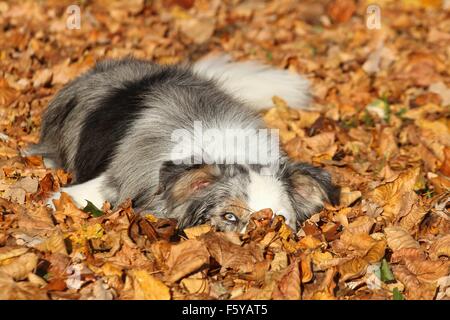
380,125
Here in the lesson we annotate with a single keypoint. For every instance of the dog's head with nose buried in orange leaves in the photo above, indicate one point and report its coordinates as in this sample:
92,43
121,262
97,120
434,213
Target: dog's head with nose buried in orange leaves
227,194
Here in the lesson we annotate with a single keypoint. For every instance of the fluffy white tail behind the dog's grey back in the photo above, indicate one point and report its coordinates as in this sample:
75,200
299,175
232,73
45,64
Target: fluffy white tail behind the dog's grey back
255,82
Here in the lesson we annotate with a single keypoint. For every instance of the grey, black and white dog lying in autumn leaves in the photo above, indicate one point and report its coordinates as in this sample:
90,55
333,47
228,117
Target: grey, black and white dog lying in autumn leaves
126,129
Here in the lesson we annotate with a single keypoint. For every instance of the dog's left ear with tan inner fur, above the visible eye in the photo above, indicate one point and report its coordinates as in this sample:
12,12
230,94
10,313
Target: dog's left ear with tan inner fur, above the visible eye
178,182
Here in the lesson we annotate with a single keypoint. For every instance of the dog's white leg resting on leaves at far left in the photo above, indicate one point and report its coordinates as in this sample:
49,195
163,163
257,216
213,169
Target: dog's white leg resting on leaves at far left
90,190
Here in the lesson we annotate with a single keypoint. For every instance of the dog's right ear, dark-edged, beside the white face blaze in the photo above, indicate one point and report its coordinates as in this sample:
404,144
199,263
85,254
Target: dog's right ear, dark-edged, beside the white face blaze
309,188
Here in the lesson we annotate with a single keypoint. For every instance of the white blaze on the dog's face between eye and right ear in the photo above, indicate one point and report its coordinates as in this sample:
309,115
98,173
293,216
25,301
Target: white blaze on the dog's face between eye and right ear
265,191
